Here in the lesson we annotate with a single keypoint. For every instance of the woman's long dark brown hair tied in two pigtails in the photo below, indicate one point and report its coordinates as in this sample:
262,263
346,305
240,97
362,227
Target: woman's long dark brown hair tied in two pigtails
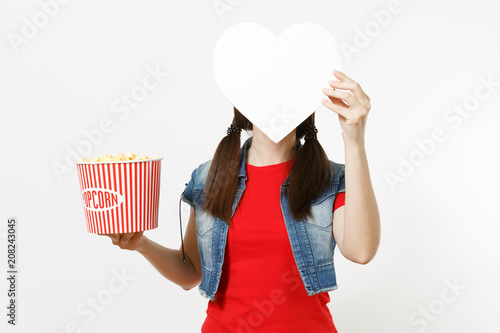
309,176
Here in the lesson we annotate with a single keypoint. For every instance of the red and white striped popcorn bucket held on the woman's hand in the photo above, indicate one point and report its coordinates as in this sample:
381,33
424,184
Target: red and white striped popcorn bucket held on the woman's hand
120,196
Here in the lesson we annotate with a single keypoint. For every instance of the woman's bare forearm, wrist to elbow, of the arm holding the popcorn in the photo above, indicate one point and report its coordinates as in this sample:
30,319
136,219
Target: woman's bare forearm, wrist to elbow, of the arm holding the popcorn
170,264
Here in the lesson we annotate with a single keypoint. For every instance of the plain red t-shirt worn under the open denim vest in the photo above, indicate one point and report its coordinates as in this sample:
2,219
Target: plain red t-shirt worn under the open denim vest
260,289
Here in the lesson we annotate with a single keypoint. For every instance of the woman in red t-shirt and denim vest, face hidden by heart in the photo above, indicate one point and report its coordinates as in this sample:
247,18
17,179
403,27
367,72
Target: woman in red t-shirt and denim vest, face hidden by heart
265,220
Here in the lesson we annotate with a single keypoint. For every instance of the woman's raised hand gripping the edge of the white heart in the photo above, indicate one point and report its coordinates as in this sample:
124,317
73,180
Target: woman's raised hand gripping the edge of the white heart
352,109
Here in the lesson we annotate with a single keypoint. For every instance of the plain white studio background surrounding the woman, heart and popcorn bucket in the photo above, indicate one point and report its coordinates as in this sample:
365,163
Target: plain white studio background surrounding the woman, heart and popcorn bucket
439,222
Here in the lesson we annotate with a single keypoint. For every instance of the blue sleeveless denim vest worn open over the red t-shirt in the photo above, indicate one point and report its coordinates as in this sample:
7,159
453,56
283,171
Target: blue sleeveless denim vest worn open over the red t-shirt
311,240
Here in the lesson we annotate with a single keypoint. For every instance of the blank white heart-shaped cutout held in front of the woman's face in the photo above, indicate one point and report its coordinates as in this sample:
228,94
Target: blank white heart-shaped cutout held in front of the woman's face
275,82
